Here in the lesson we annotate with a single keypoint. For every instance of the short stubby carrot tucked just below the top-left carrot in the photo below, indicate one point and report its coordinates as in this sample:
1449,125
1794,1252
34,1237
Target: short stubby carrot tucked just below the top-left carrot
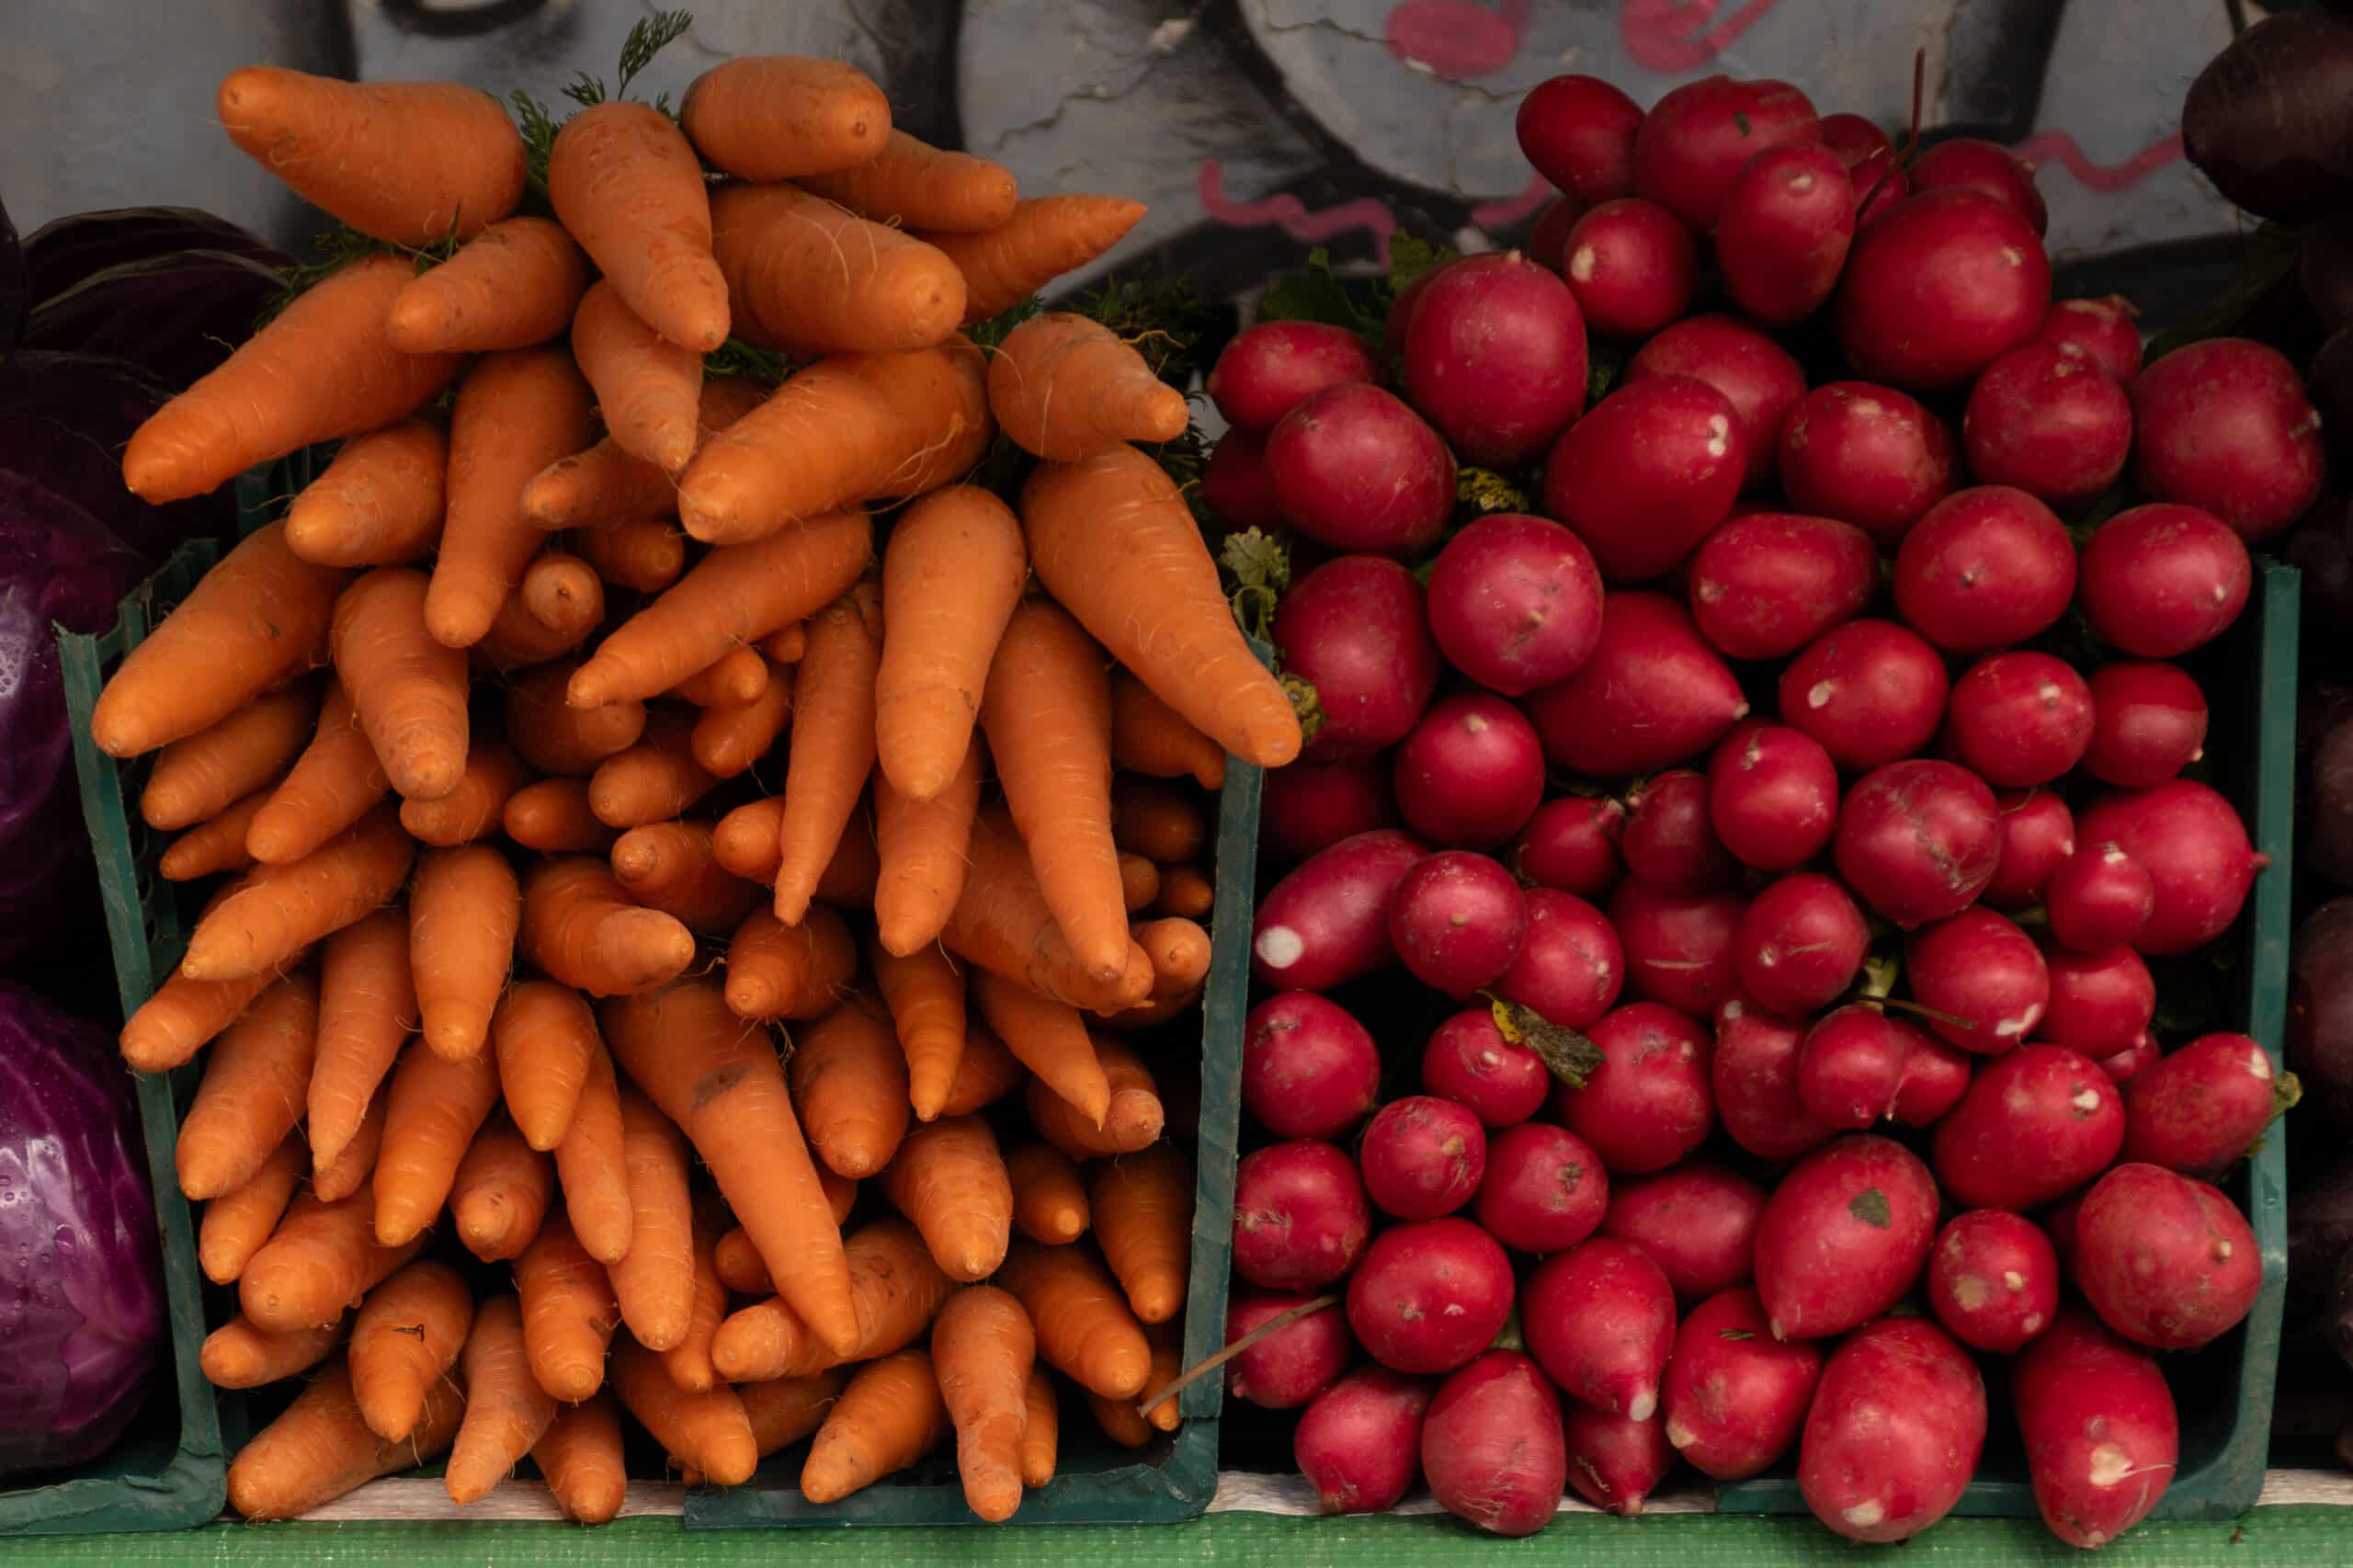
512,286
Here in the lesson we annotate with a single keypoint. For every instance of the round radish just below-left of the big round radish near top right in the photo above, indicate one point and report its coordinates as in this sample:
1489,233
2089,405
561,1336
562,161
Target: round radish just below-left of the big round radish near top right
1867,456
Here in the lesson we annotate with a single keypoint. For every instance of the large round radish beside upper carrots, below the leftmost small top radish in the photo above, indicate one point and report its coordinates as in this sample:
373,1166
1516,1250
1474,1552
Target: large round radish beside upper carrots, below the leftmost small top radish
1354,467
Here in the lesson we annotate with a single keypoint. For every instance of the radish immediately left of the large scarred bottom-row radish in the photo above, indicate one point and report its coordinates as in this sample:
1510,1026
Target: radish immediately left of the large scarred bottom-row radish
1735,1397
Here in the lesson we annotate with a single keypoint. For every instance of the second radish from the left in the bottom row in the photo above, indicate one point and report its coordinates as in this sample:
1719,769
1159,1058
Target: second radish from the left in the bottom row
1493,1447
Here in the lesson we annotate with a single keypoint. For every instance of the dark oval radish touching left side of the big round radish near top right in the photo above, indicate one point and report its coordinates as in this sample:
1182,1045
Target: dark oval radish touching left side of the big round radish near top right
1785,232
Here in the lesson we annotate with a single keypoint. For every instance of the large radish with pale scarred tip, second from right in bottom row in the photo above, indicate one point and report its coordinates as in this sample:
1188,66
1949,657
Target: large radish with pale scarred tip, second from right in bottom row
1895,1433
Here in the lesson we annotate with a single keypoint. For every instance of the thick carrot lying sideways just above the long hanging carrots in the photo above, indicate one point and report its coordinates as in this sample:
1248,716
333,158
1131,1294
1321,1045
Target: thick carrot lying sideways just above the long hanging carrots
848,430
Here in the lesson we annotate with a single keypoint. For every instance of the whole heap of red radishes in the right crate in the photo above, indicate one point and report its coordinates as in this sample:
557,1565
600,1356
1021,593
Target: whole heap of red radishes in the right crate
1778,891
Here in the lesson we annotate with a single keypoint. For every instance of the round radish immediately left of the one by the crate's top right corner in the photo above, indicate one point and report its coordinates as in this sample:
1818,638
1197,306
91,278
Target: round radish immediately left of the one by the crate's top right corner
1985,569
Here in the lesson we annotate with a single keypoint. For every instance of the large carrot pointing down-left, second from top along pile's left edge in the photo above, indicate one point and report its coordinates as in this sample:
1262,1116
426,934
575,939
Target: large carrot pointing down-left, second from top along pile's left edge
321,371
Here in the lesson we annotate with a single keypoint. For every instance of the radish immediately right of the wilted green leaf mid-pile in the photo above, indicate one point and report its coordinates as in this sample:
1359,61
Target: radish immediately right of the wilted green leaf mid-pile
1648,1103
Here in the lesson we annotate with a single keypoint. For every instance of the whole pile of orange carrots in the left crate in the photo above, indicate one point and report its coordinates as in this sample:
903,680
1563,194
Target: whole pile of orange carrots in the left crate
691,863
